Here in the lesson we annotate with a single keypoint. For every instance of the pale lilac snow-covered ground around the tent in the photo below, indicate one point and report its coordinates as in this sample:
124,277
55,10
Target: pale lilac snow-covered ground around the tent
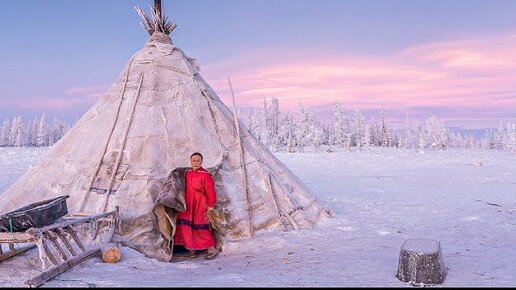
466,199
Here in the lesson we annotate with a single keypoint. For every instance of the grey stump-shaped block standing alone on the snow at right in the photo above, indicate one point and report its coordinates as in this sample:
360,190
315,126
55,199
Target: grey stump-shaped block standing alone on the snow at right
421,262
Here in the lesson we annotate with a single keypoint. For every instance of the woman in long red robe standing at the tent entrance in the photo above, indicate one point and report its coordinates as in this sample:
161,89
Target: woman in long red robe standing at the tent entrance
193,228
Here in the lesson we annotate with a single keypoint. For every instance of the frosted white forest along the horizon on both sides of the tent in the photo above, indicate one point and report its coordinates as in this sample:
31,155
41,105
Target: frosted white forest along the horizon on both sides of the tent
303,131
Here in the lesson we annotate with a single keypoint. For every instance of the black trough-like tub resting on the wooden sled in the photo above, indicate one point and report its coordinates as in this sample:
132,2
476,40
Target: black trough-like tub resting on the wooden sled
34,215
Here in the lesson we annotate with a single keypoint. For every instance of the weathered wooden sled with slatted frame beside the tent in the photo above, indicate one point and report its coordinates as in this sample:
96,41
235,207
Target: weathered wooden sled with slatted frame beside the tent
66,244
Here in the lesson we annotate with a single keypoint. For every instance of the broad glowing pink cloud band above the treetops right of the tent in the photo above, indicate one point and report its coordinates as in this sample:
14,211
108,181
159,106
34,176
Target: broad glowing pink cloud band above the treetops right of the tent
468,75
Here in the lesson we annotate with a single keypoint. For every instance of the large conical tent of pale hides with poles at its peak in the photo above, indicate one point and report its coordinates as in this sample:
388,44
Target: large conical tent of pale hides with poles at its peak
148,123
